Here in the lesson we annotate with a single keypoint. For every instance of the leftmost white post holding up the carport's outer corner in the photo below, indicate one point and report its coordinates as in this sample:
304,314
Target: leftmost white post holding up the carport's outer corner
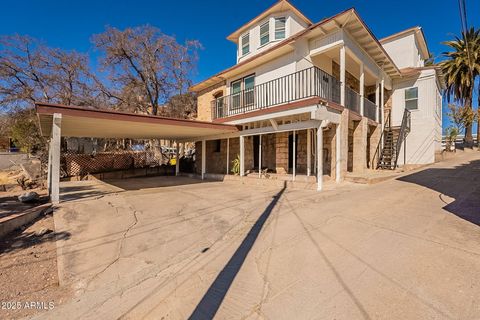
55,158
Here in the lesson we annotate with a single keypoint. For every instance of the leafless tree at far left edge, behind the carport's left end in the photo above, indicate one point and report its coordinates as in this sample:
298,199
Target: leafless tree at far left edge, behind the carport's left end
32,72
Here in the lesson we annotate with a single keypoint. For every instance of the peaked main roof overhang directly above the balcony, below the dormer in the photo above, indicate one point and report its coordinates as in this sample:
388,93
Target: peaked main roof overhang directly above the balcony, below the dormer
348,19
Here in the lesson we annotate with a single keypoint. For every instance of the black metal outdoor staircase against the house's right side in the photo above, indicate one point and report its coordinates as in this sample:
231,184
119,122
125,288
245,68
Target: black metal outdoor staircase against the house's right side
393,137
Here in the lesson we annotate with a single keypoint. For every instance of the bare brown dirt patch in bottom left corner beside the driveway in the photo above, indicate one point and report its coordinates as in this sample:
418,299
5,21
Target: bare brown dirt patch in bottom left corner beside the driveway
28,271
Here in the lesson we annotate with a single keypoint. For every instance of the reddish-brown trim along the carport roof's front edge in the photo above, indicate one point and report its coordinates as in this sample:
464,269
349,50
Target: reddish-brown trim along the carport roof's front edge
88,112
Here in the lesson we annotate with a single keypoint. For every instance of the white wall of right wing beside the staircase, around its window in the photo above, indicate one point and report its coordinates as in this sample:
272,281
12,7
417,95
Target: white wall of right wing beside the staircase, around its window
425,136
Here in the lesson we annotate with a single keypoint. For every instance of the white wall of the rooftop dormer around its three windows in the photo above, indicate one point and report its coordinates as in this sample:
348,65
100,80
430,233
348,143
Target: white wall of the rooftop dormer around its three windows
293,25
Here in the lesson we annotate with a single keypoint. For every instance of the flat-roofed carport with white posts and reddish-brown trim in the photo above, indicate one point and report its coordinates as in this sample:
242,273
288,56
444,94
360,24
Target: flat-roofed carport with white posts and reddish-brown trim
58,121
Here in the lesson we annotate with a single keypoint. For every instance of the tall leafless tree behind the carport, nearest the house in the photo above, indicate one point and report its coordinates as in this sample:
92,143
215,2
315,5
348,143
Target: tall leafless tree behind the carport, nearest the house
146,67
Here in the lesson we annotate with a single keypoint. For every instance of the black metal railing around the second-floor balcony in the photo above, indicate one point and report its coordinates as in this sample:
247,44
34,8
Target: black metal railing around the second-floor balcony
303,84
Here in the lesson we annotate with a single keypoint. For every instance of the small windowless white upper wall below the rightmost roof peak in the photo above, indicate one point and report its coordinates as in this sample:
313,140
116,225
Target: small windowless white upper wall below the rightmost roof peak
404,51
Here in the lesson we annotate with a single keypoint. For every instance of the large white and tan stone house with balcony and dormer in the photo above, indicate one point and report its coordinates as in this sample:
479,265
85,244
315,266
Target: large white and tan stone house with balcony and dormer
320,99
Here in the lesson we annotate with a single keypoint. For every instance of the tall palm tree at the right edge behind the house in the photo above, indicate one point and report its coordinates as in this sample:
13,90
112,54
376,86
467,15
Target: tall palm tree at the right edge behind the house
460,69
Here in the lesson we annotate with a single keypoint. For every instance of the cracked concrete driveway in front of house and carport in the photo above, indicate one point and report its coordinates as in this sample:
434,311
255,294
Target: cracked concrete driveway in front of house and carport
173,248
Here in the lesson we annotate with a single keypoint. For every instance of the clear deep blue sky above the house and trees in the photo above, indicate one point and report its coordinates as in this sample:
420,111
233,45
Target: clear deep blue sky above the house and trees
70,24
